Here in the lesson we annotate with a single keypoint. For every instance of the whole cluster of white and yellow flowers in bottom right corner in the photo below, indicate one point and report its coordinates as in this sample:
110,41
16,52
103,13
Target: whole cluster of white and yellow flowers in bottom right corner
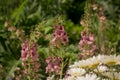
101,67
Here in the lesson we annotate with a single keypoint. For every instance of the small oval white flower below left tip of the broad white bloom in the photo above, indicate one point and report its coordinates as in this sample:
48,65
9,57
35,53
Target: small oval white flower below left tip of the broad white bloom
76,71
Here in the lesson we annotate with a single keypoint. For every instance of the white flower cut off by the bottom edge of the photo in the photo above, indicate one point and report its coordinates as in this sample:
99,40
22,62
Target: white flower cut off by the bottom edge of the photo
88,77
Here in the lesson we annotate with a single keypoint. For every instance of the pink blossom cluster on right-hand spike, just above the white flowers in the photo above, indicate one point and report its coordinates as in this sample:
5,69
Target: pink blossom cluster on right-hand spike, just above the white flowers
87,43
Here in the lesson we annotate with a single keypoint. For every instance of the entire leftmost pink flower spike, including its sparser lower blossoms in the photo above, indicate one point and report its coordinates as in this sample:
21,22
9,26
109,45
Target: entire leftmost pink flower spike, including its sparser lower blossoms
29,56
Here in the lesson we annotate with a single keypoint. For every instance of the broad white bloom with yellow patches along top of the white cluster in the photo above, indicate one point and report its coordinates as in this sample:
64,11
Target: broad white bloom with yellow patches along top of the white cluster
96,60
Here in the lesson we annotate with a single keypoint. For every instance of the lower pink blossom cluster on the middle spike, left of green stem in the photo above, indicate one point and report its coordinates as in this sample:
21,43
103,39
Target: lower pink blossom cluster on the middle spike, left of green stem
53,64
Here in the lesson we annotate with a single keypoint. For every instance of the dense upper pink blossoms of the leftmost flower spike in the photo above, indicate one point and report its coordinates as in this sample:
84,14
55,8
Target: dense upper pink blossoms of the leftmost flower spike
29,50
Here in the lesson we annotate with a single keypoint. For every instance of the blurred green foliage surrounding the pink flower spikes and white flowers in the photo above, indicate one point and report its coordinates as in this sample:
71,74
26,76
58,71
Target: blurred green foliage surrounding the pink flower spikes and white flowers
31,16
